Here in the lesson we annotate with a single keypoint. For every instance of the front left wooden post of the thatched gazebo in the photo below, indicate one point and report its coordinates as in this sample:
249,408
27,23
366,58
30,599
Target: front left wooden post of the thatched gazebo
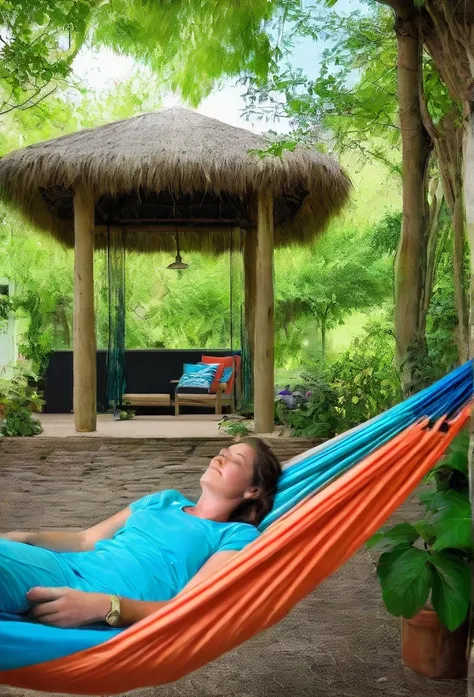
85,368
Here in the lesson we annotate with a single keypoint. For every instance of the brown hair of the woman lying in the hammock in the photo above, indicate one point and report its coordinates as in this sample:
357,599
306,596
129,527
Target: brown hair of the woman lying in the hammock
266,472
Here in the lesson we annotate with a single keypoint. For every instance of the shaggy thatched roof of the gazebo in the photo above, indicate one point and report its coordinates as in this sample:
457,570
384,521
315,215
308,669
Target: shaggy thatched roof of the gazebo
172,170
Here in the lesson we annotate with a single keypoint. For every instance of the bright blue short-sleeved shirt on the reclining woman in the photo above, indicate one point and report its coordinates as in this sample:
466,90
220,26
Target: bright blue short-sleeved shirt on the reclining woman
159,549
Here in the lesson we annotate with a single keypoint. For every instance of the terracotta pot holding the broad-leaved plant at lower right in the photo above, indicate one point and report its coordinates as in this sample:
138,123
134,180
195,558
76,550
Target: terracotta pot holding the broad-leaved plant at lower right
431,649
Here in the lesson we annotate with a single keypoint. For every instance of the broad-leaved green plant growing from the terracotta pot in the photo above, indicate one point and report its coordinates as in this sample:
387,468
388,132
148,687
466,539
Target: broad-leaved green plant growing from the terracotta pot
430,558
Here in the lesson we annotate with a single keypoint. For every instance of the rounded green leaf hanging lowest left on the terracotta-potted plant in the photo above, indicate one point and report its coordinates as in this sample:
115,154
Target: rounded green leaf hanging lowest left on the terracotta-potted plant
405,578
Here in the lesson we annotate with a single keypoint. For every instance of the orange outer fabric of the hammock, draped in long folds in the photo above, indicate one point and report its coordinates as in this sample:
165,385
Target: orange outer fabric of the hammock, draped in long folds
261,584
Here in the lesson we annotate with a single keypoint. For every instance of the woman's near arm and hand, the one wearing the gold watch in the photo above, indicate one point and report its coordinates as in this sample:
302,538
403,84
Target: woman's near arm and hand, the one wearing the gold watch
65,607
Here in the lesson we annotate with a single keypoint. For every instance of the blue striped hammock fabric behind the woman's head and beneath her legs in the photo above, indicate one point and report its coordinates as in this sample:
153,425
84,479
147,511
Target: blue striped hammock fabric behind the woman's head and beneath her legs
304,476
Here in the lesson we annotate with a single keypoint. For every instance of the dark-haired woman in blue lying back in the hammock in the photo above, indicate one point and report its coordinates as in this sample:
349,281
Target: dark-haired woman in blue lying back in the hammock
128,566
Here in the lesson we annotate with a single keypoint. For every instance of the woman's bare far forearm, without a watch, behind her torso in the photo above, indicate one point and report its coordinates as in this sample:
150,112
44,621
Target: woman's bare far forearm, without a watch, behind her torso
66,541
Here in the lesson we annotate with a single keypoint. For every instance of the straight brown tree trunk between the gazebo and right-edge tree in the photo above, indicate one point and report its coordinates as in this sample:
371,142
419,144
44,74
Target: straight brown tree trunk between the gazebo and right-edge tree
411,256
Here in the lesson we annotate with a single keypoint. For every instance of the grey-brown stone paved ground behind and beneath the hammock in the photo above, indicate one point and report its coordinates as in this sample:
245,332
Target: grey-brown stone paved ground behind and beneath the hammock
338,642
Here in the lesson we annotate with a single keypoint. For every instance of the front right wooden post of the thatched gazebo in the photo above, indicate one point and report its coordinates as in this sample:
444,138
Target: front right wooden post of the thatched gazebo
264,317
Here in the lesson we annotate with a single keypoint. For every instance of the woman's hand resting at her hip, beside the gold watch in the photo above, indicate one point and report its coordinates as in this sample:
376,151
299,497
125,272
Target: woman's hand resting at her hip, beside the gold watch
66,607
